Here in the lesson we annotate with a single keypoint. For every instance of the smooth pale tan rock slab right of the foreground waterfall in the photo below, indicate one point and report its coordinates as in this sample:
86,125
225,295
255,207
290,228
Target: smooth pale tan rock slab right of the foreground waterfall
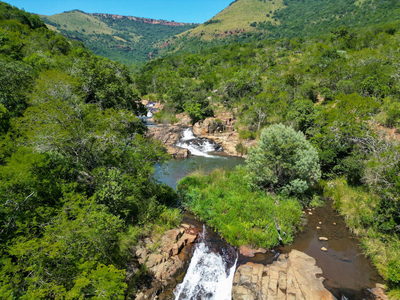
292,276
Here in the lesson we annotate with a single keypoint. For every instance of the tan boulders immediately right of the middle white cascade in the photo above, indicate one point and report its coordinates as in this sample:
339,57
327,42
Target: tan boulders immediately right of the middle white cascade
222,131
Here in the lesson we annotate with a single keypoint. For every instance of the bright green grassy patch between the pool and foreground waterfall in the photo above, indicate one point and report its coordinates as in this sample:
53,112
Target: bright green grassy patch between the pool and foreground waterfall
243,217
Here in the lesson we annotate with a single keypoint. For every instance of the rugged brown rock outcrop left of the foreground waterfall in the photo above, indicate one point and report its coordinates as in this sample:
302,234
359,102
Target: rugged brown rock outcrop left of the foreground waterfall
164,263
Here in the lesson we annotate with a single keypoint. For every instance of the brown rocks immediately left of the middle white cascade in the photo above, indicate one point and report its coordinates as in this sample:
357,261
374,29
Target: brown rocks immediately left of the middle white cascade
169,135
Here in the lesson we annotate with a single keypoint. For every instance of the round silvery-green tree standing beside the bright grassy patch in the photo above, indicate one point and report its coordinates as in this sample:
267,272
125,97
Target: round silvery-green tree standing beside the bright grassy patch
284,161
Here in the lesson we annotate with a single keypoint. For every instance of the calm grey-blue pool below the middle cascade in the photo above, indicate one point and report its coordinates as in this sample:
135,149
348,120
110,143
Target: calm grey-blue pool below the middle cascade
173,171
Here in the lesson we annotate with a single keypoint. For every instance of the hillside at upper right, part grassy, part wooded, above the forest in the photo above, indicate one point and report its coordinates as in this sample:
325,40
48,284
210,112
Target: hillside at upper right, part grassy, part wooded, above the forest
249,20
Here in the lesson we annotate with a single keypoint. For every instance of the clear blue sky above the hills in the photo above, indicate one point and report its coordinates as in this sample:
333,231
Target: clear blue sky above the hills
196,11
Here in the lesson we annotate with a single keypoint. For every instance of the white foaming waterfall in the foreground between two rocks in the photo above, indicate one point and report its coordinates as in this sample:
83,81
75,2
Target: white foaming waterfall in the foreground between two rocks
206,277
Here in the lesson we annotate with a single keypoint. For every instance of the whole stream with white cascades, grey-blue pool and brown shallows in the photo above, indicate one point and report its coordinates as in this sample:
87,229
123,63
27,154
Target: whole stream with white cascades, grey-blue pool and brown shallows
348,273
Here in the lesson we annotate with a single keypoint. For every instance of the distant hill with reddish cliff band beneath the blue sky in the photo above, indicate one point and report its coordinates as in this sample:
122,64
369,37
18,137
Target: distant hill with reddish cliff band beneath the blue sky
130,40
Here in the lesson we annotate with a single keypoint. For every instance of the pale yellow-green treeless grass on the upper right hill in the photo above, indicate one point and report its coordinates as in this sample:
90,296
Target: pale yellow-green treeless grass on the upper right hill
238,17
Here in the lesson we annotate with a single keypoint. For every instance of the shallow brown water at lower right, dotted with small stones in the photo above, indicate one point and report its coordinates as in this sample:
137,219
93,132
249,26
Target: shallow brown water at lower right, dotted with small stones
345,268
